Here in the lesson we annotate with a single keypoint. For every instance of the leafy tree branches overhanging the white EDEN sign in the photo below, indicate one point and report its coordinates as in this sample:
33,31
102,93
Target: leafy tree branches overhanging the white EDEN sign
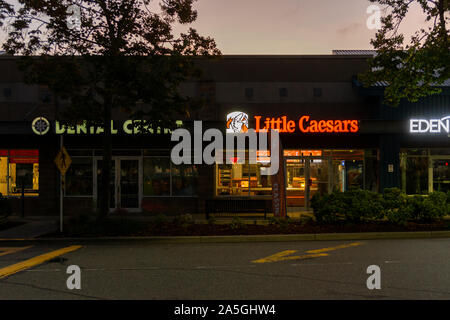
413,69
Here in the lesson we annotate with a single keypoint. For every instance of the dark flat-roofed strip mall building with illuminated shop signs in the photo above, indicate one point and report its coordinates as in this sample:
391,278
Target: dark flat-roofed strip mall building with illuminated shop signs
335,134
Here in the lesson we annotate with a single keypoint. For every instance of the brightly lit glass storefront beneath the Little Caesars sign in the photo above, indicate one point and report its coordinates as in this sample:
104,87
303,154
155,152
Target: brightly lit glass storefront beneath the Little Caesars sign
325,170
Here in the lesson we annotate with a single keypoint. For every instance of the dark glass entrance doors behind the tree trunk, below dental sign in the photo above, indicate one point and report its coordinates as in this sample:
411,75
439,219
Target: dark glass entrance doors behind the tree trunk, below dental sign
125,186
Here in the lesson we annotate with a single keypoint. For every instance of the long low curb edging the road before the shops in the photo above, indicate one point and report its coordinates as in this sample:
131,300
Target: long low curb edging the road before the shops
251,238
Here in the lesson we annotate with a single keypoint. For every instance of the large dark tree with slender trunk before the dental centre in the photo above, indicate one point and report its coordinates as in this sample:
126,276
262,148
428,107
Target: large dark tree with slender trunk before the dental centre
100,55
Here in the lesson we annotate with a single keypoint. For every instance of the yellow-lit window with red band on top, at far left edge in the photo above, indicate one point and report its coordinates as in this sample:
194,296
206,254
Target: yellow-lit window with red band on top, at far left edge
19,169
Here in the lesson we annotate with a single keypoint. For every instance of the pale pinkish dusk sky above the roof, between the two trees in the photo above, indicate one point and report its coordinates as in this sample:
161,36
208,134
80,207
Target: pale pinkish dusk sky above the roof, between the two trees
290,26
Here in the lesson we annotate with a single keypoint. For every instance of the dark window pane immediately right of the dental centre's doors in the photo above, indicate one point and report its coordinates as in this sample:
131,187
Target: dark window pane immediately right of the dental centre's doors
156,176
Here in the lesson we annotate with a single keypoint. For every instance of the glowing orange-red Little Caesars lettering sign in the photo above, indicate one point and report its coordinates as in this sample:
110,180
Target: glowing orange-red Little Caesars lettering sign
306,125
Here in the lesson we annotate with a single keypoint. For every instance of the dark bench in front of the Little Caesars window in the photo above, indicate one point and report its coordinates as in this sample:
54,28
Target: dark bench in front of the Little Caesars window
235,206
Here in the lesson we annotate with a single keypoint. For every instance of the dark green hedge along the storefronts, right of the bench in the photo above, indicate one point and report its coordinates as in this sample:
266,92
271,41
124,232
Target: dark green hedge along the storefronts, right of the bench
358,205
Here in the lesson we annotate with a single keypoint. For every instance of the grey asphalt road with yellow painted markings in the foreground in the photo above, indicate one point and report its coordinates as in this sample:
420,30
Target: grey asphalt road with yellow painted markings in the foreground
410,269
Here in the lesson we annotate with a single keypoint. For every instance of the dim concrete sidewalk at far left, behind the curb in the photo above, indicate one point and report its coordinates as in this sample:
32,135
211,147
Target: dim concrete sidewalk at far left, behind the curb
32,228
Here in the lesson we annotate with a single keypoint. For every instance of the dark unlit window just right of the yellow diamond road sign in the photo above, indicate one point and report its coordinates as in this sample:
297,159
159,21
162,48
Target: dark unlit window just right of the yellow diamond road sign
79,177
